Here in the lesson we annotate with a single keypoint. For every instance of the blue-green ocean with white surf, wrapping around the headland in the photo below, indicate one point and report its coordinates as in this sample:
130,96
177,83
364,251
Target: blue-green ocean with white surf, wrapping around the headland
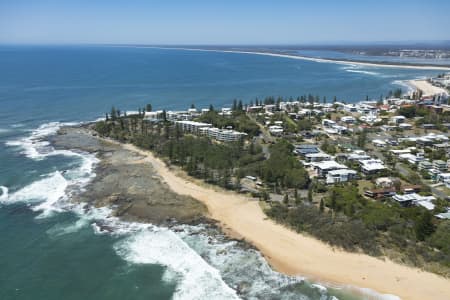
51,249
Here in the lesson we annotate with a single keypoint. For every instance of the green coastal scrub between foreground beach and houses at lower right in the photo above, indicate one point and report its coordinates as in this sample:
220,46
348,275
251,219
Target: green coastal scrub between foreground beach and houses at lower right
346,219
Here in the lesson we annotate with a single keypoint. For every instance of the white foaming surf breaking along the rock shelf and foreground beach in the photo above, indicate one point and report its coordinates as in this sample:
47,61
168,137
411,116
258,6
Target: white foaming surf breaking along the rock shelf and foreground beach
202,261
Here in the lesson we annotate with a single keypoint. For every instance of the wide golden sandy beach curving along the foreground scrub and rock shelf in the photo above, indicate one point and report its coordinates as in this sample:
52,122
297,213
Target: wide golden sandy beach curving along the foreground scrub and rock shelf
296,254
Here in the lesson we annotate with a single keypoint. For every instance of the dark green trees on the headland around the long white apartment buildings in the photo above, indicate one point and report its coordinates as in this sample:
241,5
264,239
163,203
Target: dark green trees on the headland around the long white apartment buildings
223,164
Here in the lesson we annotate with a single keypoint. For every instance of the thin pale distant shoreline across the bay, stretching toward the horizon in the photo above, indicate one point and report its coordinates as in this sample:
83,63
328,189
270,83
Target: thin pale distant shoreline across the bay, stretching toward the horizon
307,58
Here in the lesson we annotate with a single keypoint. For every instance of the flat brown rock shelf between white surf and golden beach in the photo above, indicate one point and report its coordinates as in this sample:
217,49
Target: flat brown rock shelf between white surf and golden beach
127,183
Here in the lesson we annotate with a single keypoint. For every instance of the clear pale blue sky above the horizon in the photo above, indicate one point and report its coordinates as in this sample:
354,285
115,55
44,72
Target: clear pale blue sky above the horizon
222,22
